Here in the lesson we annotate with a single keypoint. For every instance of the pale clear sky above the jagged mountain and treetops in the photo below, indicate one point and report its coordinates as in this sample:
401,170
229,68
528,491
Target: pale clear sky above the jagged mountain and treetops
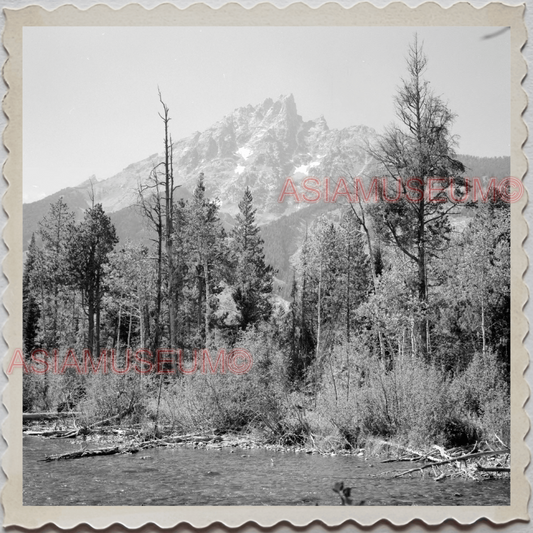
90,102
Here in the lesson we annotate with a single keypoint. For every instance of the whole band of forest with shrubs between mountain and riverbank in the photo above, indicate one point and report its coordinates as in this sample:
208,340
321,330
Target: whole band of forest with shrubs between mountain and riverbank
396,321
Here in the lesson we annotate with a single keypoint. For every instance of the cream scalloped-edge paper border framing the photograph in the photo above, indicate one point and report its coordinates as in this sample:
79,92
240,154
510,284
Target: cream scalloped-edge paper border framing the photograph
395,14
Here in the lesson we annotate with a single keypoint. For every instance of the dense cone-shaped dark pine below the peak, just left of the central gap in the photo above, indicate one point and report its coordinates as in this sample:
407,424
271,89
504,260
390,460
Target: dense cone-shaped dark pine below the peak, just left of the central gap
253,277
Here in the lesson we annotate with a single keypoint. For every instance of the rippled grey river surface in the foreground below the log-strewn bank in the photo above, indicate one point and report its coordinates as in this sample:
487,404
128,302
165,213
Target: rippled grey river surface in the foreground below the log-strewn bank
186,476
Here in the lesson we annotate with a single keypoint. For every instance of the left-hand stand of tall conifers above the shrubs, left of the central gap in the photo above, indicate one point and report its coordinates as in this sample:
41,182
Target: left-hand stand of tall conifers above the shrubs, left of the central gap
83,292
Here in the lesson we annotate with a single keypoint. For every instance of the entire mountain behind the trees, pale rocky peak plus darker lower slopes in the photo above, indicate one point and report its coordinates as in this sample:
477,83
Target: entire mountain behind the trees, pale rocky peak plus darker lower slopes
256,146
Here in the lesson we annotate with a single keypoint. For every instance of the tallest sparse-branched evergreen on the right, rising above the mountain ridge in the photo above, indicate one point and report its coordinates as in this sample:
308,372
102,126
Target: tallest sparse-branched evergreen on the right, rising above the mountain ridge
412,153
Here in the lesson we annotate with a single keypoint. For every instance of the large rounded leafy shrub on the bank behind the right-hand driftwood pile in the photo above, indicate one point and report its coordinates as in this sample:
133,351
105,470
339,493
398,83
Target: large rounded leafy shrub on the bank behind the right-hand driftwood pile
410,402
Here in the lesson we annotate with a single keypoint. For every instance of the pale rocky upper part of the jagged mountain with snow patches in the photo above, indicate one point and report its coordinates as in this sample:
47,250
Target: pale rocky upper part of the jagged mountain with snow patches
256,146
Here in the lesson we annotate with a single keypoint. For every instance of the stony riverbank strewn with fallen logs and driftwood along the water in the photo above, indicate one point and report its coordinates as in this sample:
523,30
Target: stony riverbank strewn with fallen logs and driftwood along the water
476,463
